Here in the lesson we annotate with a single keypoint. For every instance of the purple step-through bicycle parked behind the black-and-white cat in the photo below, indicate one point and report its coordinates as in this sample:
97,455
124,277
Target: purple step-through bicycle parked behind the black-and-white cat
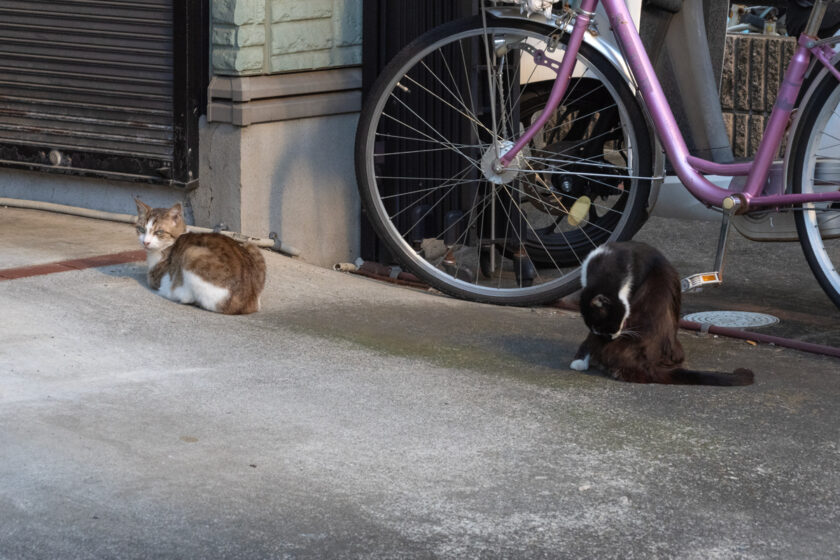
493,185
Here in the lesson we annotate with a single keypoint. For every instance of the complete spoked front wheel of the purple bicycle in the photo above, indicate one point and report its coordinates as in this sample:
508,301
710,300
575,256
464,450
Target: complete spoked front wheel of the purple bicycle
427,149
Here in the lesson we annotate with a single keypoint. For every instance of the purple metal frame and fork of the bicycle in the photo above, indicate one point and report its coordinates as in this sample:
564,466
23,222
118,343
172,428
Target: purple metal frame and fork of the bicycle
690,169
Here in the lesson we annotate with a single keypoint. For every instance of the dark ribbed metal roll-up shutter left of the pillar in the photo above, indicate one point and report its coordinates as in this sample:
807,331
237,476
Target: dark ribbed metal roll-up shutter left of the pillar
96,87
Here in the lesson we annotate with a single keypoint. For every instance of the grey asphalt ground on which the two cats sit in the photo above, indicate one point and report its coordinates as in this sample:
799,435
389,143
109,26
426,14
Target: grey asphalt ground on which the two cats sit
355,419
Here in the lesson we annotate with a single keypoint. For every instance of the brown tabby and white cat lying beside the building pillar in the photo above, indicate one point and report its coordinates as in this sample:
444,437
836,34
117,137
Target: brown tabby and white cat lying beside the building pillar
210,270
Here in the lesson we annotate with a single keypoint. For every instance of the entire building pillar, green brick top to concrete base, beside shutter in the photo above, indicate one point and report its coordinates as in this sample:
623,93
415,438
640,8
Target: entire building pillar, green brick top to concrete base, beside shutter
277,145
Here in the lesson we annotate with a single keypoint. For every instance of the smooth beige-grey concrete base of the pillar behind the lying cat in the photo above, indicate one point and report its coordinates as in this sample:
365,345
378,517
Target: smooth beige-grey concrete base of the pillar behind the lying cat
290,178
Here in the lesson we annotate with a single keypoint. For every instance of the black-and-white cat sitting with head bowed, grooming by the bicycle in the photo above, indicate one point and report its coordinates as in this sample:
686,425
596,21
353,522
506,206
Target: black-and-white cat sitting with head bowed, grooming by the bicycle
631,304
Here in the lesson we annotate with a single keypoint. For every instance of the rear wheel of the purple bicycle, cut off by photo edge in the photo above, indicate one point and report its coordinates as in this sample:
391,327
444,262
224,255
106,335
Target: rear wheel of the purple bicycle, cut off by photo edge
816,168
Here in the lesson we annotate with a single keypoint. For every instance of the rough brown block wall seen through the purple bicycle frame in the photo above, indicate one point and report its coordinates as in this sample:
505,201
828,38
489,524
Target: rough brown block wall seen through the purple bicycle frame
753,67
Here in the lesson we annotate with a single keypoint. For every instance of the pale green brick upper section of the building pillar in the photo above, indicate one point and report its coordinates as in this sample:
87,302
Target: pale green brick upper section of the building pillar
252,37
